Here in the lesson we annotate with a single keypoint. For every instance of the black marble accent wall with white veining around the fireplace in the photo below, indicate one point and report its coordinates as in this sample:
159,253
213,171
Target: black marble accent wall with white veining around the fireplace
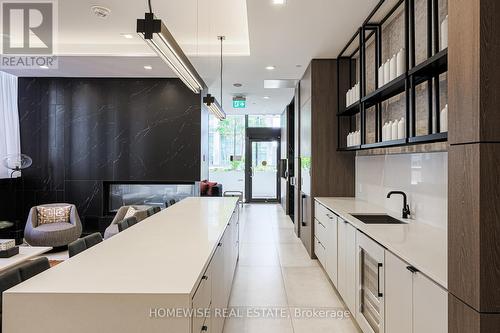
82,131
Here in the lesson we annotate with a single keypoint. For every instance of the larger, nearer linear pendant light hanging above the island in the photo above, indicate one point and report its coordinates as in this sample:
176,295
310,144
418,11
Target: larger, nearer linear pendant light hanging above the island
157,36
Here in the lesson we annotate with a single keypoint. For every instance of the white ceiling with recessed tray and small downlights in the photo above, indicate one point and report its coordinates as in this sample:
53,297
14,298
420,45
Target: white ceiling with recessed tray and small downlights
258,34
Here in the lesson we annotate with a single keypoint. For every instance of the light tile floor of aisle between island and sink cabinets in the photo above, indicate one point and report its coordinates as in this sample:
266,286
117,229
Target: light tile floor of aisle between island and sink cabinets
275,275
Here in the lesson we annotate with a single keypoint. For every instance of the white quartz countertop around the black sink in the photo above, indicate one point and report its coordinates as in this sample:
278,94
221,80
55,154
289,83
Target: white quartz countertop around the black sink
420,245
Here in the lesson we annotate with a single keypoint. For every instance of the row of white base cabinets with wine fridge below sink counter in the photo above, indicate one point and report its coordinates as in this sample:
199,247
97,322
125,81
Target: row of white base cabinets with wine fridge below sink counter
383,293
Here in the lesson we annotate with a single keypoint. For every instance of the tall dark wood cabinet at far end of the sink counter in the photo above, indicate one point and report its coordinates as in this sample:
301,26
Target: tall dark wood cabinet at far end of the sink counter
323,170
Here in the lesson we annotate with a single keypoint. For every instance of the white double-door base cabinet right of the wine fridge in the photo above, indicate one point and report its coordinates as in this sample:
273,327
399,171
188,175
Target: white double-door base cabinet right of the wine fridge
413,302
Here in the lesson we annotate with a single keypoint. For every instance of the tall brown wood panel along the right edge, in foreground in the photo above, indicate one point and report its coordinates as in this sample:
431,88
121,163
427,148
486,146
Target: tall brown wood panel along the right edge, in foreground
474,172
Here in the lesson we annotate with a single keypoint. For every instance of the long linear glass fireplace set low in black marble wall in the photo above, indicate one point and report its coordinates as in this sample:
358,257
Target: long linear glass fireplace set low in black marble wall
124,193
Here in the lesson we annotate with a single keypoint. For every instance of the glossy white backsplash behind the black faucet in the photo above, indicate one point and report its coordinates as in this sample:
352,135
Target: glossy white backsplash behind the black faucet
423,176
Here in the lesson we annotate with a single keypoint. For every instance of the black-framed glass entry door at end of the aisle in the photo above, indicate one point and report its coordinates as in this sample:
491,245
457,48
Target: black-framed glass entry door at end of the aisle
263,171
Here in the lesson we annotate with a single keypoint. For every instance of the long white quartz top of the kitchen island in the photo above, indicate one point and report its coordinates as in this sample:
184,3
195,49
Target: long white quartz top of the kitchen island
163,254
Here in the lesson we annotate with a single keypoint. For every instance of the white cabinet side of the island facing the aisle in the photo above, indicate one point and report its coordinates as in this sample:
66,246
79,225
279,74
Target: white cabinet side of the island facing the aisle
214,288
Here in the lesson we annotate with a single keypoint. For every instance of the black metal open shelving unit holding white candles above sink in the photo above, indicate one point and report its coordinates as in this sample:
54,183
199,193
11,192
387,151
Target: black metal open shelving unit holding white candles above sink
351,68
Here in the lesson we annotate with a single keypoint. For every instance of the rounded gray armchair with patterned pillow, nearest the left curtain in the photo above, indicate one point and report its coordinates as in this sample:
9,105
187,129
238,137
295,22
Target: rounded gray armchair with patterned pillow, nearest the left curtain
52,234
